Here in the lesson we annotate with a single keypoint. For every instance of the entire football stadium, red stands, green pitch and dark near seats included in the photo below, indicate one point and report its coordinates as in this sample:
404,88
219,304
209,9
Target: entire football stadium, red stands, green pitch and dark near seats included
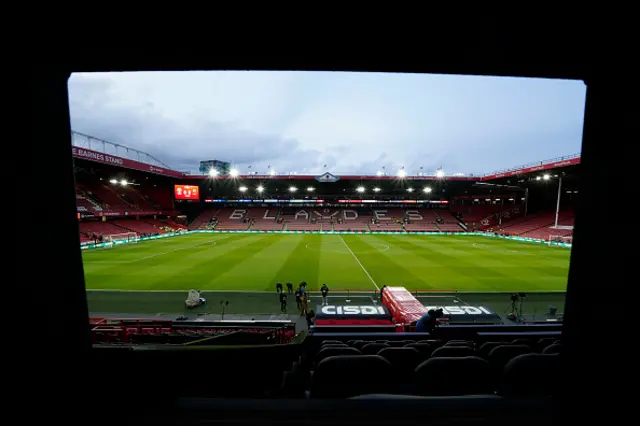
329,276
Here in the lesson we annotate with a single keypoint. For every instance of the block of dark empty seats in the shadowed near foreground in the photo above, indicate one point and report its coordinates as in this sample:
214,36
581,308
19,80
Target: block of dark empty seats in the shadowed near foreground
339,369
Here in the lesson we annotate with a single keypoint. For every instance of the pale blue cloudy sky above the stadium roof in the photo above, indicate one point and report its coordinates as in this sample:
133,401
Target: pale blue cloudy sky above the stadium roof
352,123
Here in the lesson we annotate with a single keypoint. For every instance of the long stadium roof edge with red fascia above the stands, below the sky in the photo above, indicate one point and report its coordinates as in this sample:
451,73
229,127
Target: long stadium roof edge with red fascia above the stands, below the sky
98,150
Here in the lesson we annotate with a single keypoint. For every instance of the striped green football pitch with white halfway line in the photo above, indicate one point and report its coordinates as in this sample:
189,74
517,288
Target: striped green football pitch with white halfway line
154,276
